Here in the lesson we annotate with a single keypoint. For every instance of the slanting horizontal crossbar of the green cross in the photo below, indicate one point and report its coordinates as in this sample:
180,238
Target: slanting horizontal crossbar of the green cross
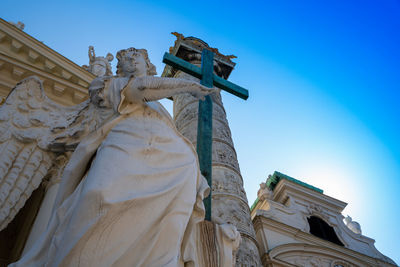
195,71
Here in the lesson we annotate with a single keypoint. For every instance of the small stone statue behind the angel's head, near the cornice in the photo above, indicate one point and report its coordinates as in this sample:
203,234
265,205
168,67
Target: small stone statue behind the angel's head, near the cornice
99,66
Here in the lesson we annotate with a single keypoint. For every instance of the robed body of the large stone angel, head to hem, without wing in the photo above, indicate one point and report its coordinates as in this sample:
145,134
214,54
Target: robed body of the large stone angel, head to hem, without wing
134,204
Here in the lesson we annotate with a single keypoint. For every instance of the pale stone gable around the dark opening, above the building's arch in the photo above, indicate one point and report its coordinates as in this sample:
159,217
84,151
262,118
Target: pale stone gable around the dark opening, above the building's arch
286,215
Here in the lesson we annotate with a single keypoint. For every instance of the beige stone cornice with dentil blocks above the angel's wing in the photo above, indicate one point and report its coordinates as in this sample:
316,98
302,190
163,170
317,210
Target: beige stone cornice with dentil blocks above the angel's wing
22,56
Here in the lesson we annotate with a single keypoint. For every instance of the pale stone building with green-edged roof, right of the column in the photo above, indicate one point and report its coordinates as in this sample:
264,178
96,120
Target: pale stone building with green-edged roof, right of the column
297,225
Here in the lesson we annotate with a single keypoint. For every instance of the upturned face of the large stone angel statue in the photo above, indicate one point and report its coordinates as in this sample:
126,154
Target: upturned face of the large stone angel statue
134,64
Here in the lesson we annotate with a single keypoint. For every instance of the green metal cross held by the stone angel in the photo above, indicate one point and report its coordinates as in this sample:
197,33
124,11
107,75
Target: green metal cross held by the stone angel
204,126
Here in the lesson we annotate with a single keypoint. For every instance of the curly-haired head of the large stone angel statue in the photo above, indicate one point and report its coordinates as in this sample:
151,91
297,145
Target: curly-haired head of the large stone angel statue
134,62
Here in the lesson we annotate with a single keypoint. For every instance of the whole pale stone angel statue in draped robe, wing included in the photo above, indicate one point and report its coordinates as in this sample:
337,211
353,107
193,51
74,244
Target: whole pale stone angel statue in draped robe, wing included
145,174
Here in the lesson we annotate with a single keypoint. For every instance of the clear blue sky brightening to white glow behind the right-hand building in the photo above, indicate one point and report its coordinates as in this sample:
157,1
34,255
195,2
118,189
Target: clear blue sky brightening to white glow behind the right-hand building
324,81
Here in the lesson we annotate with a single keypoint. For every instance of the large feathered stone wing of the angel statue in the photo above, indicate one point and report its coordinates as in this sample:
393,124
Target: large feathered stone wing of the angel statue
29,125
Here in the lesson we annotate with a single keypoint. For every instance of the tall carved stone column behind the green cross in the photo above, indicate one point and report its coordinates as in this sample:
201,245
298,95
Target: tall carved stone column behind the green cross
229,201
